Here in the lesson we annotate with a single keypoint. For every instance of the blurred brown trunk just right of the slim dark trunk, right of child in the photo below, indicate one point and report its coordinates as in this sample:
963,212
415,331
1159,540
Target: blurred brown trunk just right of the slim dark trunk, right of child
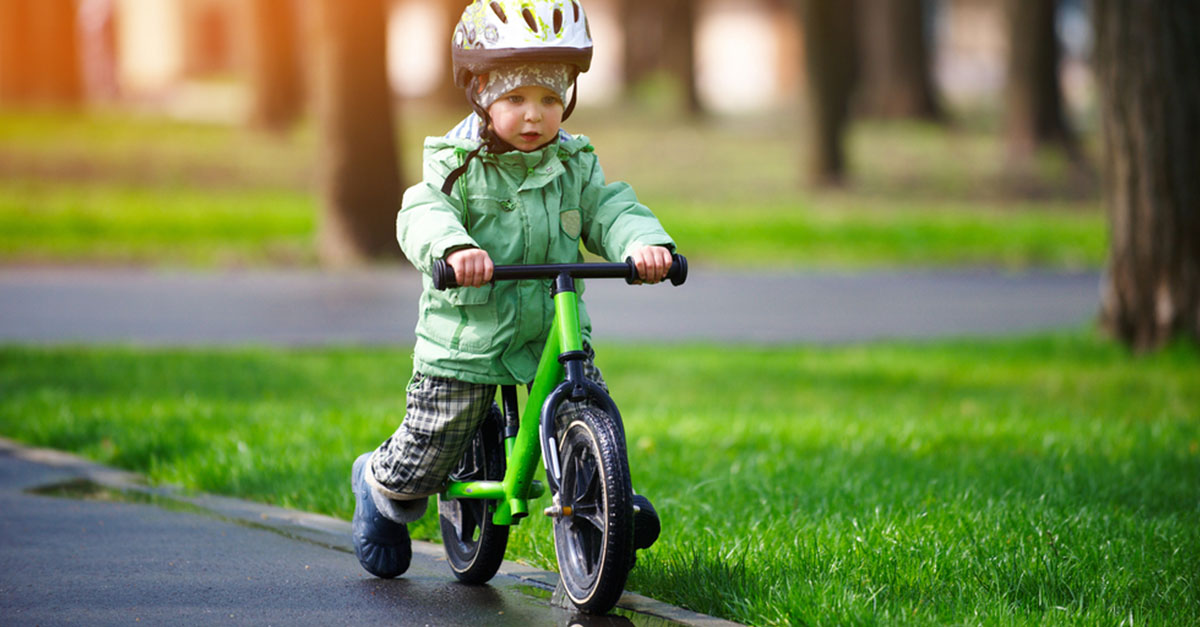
897,80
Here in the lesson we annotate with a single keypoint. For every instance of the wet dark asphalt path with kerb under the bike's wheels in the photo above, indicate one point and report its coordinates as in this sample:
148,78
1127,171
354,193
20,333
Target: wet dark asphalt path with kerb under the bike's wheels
86,545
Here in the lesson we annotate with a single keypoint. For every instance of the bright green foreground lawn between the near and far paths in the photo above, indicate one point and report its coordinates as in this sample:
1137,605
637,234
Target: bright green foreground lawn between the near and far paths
1051,480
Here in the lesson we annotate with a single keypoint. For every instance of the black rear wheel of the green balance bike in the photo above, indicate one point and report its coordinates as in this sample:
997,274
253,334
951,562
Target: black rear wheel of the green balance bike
473,544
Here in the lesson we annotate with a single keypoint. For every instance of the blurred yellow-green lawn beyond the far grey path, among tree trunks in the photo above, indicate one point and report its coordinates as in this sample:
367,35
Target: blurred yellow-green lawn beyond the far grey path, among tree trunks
113,189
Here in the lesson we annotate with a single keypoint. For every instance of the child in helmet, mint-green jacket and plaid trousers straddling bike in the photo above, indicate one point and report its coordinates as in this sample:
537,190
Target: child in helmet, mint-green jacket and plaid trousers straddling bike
506,187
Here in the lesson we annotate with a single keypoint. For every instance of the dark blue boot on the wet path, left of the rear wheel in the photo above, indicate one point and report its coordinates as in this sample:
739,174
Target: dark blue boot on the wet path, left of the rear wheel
382,546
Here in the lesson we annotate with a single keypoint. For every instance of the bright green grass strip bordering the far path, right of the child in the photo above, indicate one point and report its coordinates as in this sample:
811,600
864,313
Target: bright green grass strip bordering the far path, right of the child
850,234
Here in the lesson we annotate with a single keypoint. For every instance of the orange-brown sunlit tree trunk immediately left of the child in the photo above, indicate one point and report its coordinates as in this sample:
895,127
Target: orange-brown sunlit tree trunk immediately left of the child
358,169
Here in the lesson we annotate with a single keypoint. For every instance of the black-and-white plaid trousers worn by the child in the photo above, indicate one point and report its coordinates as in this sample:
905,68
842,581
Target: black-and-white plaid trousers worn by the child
441,420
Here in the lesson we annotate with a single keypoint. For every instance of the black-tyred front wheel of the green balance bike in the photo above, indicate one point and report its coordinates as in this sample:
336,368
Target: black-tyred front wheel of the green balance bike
593,536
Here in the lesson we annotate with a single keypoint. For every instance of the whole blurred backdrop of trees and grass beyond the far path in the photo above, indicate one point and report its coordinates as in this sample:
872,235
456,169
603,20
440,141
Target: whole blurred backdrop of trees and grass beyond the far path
785,134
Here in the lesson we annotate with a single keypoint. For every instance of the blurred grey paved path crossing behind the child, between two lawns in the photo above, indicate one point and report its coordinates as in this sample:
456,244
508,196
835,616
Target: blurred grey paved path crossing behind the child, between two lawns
380,307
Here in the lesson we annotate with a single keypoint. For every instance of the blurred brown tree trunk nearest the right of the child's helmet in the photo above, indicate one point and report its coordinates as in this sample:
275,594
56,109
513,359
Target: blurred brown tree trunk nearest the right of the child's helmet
661,35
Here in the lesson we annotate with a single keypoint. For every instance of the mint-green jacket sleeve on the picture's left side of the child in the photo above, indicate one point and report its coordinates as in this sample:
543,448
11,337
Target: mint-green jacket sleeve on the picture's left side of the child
431,224
